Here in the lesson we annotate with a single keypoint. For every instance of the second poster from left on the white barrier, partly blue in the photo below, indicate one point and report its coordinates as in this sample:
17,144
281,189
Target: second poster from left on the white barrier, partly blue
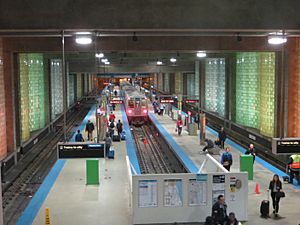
173,192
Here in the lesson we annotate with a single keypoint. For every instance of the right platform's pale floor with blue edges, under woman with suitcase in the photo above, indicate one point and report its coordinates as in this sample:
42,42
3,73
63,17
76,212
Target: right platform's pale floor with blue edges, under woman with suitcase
263,173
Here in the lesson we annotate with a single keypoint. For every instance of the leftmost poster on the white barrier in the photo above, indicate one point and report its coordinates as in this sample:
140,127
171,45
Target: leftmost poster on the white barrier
147,193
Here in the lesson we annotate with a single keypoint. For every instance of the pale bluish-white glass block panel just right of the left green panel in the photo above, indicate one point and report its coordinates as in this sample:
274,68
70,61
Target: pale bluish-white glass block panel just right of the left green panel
56,87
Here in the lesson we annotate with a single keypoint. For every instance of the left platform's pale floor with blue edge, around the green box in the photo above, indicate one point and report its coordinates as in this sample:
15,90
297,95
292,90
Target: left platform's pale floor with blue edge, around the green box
71,201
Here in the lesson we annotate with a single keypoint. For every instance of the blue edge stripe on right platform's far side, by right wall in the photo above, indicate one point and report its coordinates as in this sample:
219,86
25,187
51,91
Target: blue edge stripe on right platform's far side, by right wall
262,162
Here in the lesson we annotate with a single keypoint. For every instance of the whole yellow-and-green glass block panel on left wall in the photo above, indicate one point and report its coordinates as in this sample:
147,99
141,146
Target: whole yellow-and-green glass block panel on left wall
32,93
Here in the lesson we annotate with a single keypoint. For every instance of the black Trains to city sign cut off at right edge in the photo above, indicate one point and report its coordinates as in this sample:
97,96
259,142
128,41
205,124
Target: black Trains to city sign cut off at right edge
285,145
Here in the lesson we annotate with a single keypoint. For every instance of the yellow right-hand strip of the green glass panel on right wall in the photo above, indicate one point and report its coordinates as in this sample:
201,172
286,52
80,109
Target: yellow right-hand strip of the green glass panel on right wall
267,93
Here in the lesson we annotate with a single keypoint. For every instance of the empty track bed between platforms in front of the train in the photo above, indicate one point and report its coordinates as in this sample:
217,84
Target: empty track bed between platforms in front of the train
150,155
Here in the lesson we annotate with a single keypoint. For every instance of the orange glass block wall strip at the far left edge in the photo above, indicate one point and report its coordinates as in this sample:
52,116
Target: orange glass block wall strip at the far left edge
3,145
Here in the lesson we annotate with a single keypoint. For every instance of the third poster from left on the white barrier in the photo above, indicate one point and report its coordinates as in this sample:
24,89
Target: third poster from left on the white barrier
197,192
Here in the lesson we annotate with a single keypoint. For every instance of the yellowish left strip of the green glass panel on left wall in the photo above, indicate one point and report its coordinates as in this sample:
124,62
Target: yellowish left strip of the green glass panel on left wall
24,97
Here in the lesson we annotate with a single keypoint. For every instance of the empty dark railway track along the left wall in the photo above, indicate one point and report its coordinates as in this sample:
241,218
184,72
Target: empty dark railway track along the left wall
20,190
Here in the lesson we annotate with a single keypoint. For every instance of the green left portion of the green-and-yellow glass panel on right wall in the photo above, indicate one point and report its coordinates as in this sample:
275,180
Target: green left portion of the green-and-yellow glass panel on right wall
247,90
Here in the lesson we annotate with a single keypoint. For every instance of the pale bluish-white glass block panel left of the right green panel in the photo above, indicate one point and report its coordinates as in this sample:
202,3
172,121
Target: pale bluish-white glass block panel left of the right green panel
215,85
